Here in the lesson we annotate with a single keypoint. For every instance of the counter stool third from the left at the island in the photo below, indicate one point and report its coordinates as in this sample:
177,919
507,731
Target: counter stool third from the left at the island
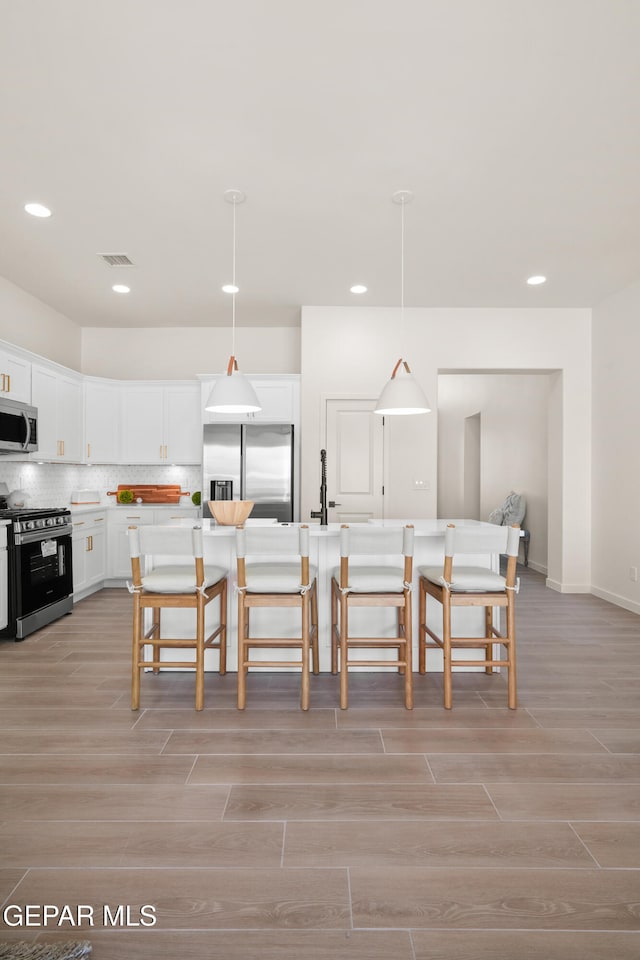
376,583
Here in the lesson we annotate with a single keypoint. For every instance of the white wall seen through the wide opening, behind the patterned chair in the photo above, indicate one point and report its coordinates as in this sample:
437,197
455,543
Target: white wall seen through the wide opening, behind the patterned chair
514,441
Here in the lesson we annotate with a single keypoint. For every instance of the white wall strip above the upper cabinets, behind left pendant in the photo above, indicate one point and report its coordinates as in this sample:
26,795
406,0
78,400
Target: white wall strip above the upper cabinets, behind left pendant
178,353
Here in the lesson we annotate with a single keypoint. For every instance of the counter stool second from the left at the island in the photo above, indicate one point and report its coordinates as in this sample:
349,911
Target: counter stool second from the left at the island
272,581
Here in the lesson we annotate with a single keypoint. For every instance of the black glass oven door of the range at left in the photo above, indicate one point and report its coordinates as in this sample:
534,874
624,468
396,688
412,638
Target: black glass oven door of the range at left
42,570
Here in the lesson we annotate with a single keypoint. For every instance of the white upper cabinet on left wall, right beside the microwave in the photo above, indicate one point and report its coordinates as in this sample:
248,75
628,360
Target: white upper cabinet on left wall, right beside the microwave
58,398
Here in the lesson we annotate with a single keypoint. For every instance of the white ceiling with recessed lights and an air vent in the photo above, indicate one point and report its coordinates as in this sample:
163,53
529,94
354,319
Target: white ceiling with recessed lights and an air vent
516,124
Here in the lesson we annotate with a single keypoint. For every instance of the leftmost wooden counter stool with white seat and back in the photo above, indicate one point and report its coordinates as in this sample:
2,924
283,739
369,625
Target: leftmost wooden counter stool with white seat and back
177,586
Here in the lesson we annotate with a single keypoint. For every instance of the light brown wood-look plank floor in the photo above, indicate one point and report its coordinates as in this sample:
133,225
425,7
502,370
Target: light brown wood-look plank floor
371,834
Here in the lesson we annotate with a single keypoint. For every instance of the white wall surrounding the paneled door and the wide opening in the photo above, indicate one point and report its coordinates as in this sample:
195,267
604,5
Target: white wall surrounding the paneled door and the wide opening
350,351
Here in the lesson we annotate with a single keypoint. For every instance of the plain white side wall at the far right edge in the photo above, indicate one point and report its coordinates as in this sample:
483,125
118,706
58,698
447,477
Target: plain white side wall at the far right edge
616,447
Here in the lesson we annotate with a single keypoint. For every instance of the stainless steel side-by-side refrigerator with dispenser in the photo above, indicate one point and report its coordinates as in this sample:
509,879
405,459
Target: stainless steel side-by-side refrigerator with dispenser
250,461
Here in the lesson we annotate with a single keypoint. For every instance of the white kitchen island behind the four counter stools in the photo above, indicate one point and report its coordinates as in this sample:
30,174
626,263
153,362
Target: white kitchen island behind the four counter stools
219,549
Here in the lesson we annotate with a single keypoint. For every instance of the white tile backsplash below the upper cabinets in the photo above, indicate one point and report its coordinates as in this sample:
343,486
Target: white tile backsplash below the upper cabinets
50,484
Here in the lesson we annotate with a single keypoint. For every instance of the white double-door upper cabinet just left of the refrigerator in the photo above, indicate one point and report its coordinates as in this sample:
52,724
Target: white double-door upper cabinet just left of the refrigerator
161,423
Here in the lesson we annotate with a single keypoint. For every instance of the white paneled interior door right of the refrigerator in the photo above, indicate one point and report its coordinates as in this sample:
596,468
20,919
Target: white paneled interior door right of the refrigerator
355,460
